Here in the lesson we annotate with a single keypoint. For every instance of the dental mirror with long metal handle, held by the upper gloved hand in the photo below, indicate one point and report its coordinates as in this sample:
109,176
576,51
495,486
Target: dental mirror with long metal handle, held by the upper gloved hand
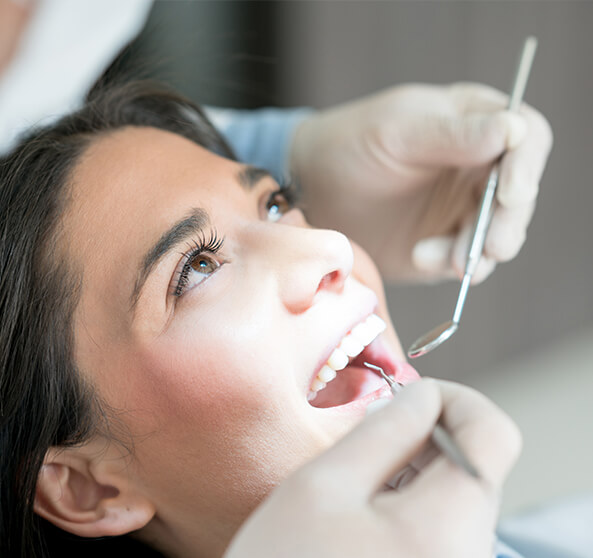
441,333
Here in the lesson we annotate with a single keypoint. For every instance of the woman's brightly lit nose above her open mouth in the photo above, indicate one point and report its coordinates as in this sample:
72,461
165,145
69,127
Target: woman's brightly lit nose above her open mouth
315,262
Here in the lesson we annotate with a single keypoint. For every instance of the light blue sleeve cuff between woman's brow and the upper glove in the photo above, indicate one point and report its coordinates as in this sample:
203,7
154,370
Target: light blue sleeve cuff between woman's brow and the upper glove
260,137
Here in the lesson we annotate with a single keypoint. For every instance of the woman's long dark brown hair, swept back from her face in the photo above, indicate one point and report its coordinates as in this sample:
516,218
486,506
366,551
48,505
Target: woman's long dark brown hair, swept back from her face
44,401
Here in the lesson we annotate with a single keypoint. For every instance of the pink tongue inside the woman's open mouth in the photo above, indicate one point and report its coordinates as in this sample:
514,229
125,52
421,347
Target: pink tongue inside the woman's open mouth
354,382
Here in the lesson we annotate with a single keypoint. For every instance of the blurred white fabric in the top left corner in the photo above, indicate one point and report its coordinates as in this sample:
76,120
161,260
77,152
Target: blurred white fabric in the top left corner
65,48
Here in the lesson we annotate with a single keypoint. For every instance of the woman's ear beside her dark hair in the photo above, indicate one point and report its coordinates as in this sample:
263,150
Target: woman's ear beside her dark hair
89,491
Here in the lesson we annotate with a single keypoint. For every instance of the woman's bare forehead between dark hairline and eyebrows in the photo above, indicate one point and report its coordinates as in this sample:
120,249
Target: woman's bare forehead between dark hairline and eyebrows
128,187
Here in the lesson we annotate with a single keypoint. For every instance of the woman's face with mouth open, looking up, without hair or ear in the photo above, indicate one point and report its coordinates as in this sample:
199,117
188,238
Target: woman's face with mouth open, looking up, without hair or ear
207,310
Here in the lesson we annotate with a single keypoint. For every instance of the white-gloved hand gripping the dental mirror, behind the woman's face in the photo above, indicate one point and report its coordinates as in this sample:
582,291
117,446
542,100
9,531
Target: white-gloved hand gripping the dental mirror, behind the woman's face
402,172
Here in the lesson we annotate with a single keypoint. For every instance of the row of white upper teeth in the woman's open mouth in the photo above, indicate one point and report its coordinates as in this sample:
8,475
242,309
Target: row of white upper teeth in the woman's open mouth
351,346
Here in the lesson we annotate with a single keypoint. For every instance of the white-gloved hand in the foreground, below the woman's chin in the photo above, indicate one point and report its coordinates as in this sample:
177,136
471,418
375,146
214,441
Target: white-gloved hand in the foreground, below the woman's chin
336,506
